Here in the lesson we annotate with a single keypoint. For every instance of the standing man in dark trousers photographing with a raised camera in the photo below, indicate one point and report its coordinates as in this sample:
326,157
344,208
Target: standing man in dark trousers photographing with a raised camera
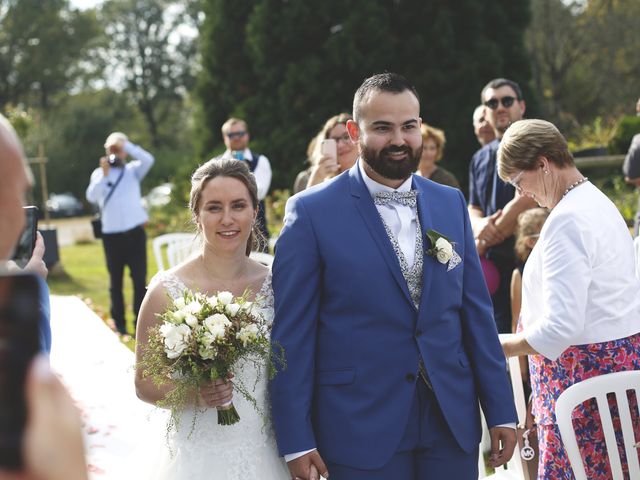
115,188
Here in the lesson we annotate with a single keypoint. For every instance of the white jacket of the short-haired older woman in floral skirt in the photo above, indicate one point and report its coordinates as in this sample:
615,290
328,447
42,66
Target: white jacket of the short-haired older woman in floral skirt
579,284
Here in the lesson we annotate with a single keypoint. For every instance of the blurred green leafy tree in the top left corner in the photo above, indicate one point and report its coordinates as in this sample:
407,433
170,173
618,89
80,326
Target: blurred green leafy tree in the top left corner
43,50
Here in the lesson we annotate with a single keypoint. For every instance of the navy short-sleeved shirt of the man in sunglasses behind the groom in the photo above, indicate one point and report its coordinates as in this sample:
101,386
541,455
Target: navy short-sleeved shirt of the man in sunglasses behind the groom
486,190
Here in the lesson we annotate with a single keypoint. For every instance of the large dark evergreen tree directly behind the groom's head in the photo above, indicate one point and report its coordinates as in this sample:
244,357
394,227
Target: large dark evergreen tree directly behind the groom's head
300,62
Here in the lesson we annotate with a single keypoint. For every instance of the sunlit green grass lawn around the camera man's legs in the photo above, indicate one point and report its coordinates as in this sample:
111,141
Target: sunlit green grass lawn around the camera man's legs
84,273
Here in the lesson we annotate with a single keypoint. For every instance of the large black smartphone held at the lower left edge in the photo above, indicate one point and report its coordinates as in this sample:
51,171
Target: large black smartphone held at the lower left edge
19,343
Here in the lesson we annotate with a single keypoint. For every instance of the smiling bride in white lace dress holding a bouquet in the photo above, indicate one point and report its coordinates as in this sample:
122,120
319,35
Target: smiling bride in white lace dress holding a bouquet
224,205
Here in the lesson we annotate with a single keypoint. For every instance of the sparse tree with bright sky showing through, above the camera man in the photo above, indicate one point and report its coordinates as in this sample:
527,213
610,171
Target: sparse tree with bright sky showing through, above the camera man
151,56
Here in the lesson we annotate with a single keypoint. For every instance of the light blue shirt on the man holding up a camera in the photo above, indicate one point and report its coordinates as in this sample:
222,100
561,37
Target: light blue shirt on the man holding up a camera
124,209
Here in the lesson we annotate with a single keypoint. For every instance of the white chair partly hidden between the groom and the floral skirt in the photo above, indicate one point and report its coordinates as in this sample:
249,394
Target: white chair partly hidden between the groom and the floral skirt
514,469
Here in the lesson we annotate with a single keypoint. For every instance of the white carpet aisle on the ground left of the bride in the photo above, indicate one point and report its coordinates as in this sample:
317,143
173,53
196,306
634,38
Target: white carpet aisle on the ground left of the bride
98,371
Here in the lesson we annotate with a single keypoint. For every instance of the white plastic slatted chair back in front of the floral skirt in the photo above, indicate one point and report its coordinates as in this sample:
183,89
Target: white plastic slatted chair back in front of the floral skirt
598,388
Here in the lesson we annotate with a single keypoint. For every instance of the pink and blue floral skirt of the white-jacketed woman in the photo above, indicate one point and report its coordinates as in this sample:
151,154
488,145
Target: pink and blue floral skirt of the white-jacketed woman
550,378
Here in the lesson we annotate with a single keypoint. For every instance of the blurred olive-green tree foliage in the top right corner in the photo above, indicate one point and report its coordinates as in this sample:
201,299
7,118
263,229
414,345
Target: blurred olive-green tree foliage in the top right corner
584,59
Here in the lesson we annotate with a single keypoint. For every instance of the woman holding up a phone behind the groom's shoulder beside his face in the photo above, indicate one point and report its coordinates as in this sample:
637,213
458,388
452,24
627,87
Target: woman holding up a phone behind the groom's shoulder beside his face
325,166
